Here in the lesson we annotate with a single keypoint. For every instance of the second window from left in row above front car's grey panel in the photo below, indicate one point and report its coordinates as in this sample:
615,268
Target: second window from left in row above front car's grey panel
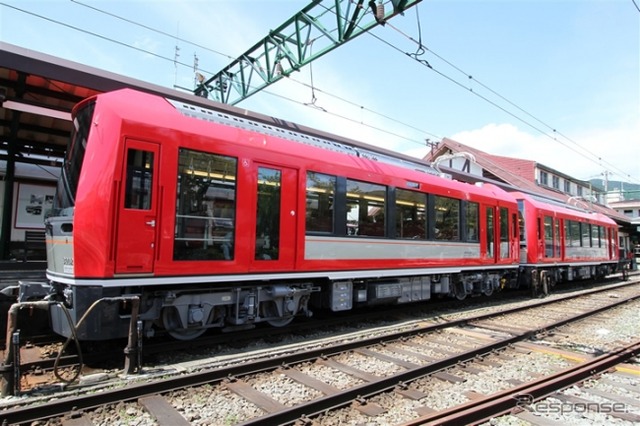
366,209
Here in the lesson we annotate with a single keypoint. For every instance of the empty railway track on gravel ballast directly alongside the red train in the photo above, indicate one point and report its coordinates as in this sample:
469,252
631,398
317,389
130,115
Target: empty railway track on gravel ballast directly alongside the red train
366,368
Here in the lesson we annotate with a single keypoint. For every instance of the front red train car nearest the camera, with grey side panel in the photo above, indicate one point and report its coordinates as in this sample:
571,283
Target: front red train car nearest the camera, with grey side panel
220,220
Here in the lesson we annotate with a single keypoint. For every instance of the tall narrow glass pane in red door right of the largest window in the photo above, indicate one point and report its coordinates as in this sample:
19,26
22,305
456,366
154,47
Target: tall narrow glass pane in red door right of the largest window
268,214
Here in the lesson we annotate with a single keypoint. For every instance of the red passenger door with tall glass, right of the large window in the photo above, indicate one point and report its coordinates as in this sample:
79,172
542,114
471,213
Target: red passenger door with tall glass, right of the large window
275,231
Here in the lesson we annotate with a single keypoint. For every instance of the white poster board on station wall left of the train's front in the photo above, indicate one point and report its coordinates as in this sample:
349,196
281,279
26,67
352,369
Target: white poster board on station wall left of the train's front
34,201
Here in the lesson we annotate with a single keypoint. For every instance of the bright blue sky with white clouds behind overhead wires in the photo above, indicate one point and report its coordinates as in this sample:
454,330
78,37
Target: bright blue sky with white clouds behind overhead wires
572,66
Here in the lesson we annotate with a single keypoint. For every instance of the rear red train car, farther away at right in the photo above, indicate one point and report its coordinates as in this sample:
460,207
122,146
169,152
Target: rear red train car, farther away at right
560,243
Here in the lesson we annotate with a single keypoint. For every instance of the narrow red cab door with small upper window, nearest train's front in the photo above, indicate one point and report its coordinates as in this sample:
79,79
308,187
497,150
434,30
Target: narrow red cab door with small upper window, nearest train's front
137,209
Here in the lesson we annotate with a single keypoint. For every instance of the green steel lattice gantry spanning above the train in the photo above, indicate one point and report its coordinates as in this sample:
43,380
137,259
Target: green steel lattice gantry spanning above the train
314,31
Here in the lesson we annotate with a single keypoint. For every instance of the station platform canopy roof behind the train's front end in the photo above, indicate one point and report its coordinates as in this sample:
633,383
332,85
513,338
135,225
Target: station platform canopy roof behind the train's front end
37,93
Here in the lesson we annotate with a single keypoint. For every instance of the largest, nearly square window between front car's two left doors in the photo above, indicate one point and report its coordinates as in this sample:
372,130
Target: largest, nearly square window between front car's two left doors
205,207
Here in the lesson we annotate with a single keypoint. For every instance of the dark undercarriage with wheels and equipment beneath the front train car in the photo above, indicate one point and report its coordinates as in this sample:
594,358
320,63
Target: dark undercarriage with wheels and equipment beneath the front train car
100,313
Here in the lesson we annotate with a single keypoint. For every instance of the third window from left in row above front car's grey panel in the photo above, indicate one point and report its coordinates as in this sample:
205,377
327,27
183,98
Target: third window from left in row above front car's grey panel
411,217
